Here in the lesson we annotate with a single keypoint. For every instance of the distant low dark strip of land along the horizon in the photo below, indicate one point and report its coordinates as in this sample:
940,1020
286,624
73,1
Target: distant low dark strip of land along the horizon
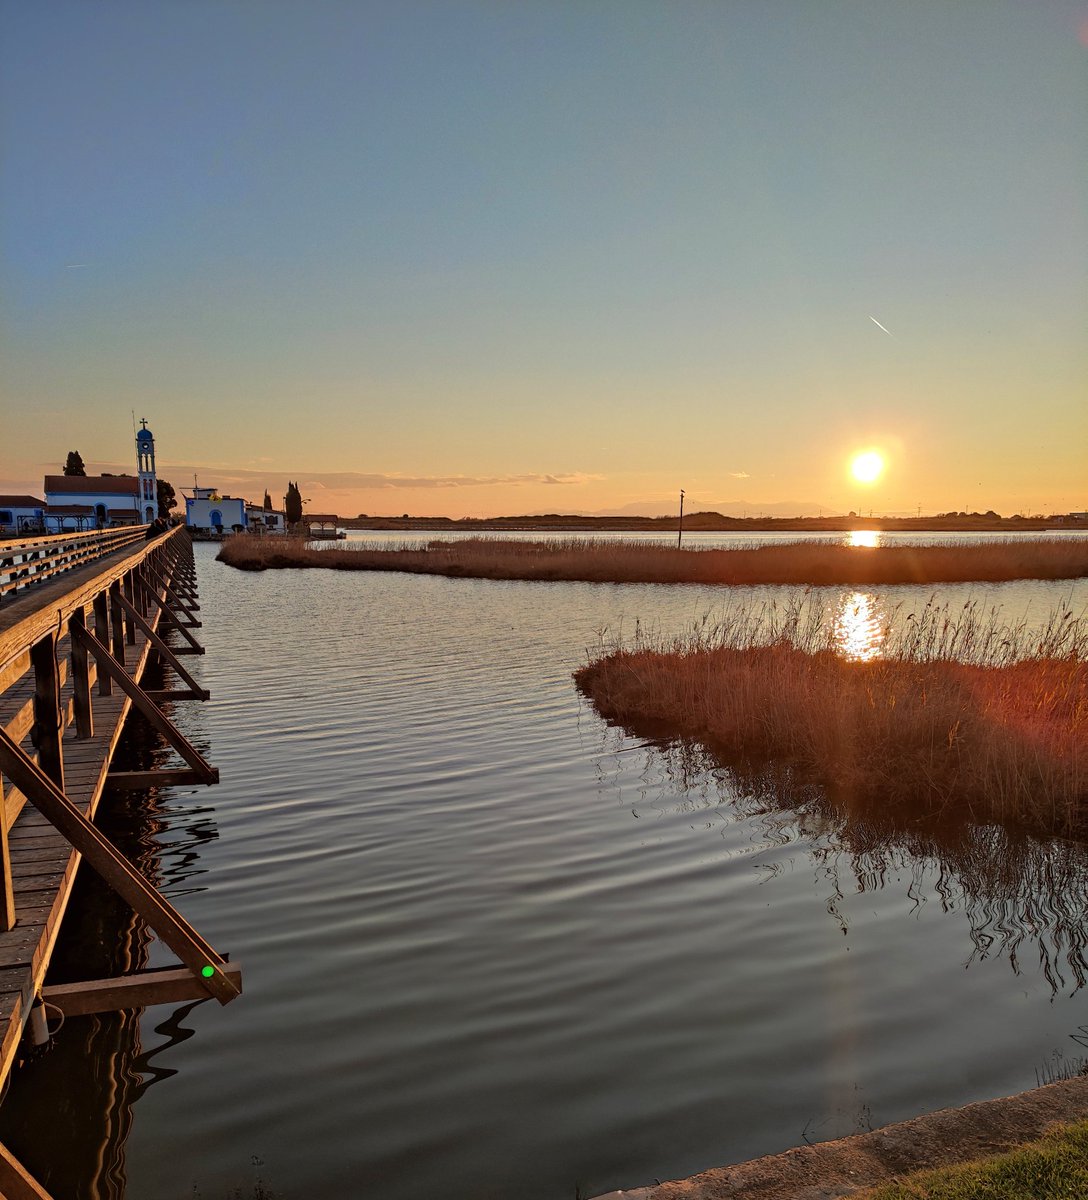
717,523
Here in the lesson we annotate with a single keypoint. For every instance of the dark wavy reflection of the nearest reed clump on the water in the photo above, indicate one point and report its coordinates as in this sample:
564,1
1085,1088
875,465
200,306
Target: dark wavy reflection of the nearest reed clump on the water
1025,898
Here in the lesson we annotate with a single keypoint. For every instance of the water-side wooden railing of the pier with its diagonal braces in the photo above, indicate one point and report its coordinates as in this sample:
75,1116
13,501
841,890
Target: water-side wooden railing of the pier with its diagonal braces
51,662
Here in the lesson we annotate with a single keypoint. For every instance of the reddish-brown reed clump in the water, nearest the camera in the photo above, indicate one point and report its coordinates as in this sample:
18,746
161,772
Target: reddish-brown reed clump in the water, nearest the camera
960,717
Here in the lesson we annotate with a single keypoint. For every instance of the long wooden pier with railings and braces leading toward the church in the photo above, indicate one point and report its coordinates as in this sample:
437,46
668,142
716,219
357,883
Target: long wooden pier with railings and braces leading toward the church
81,619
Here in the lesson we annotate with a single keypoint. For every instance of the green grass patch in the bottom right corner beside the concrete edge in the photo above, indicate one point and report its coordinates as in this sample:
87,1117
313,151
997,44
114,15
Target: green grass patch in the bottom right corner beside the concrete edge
1054,1168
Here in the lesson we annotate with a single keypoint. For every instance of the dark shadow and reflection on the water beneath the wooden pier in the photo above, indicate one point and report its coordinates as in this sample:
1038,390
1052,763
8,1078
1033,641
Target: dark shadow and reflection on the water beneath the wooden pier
70,1106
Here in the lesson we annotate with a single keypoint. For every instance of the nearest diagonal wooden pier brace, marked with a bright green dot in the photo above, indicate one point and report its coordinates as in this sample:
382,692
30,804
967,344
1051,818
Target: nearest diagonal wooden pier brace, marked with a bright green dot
175,931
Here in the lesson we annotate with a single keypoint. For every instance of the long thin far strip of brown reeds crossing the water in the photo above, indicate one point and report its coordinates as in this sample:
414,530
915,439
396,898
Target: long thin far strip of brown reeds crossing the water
600,561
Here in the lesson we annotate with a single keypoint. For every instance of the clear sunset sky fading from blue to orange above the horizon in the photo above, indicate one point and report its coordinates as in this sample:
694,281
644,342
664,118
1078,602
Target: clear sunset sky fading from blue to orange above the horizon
470,259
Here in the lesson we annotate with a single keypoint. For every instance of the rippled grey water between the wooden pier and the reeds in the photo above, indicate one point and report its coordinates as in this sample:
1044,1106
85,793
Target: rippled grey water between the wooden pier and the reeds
495,949
